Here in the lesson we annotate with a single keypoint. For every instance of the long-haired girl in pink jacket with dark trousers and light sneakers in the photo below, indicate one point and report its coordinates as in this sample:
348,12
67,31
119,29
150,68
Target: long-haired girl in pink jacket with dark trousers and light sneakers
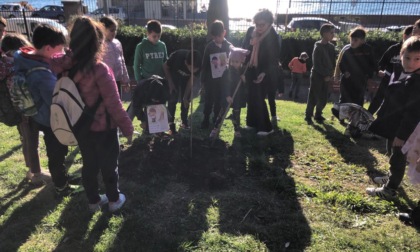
100,151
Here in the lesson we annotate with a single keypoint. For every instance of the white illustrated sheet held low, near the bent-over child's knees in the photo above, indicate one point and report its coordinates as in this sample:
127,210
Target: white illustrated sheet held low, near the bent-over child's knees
157,118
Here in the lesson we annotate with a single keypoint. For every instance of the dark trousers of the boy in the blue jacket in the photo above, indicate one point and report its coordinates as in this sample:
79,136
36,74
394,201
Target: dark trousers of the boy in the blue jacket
56,153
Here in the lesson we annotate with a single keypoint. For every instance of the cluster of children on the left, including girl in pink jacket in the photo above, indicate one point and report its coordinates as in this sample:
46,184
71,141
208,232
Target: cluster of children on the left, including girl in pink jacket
41,62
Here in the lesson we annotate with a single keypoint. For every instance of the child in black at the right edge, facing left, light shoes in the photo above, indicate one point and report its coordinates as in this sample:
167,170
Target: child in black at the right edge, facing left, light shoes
398,121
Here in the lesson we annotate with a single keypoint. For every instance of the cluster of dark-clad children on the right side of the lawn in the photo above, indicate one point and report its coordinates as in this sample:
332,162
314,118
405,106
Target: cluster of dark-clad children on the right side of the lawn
398,97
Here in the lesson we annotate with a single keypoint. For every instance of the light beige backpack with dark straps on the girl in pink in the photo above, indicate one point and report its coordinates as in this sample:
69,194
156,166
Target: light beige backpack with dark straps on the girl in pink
70,118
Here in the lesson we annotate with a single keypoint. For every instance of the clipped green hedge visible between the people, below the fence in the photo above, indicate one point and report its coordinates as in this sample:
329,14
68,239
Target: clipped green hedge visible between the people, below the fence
293,43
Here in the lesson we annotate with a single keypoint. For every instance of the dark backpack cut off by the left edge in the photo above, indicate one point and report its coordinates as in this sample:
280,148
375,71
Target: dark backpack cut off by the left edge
8,113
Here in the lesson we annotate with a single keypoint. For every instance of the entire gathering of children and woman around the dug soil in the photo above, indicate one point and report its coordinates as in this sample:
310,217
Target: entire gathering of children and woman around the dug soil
231,77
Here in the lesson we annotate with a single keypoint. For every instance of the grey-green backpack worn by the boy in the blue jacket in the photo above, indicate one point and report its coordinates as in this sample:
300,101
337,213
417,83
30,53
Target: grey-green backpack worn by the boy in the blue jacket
19,92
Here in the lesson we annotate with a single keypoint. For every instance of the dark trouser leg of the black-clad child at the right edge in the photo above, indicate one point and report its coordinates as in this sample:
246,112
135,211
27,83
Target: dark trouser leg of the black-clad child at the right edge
397,163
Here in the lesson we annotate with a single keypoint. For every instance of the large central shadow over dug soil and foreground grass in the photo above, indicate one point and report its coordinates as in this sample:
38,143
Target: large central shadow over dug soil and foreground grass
170,194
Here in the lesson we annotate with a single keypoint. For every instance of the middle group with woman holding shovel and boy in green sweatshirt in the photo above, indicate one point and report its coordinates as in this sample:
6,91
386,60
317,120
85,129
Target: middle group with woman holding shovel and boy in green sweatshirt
222,68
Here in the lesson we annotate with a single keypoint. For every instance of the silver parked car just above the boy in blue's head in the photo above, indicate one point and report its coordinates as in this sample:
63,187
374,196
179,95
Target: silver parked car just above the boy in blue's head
17,25
